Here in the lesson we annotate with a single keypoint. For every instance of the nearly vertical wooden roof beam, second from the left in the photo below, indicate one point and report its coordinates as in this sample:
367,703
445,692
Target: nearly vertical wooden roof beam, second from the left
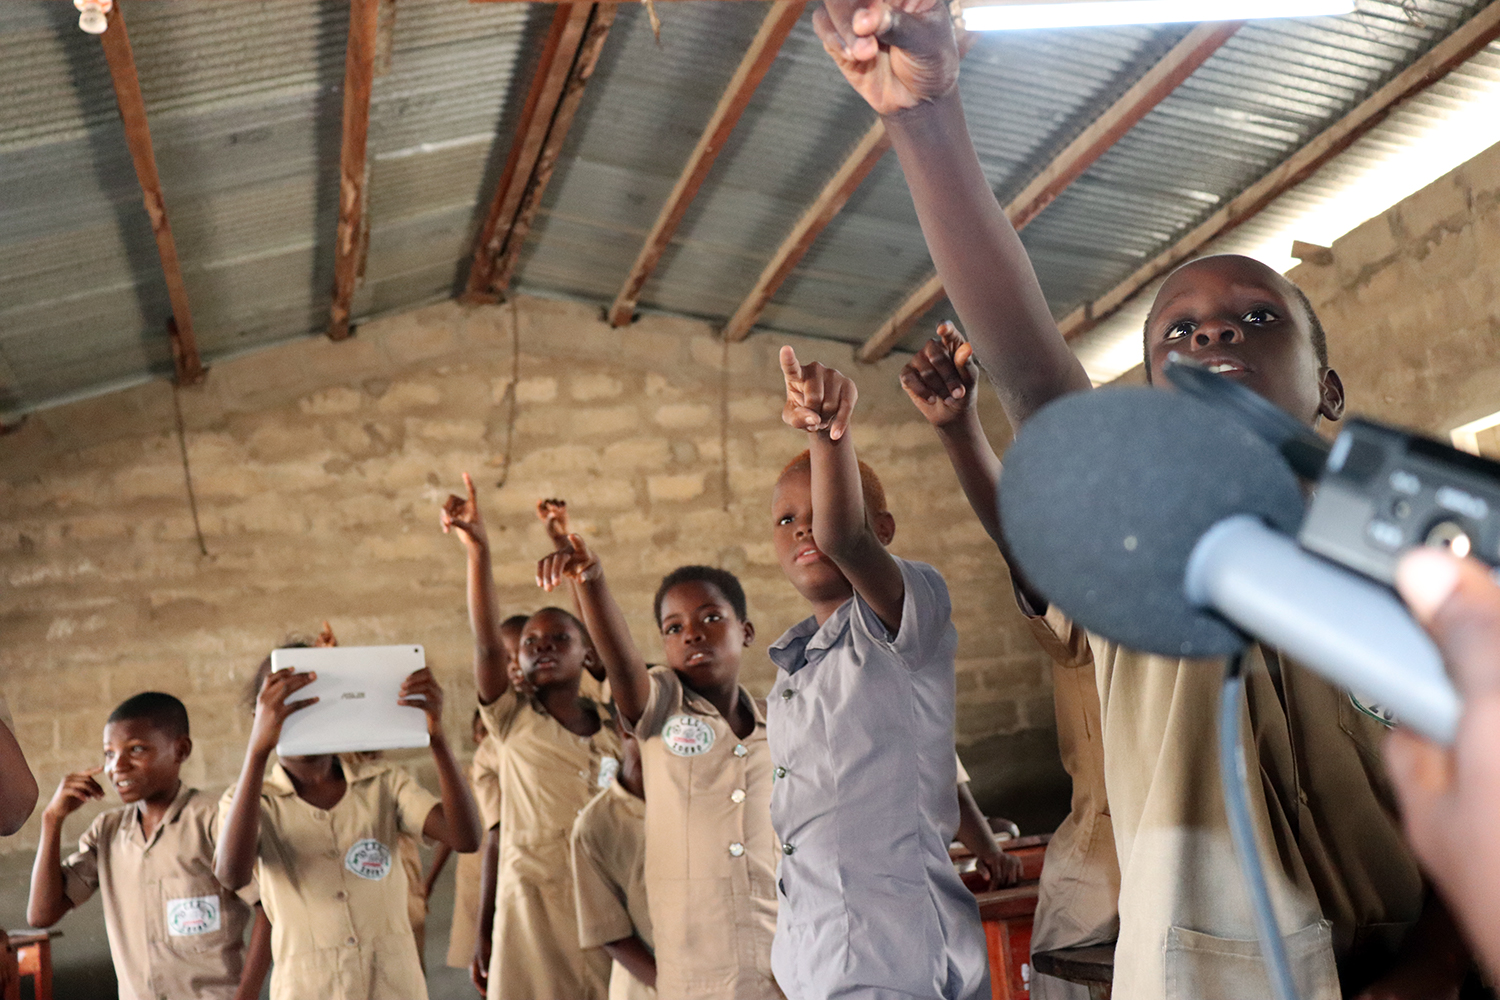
359,74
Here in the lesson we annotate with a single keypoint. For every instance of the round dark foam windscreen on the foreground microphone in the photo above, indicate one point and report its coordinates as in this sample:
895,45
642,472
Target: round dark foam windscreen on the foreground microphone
1105,496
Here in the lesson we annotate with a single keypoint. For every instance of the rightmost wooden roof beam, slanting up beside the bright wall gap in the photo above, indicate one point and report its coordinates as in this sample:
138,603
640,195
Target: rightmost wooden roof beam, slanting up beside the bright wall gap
1442,59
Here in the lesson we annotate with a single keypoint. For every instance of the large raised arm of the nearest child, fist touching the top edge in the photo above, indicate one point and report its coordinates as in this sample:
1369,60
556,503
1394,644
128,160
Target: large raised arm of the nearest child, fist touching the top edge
904,61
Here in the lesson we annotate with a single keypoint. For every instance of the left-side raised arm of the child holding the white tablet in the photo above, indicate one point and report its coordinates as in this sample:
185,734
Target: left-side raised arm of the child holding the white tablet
241,831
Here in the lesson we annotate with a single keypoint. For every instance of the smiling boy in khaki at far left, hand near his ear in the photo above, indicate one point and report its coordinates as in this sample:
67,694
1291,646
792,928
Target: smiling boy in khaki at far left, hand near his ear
175,932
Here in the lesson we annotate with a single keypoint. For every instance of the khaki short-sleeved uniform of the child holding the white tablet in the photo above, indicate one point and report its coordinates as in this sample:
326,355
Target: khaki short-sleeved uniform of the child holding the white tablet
335,890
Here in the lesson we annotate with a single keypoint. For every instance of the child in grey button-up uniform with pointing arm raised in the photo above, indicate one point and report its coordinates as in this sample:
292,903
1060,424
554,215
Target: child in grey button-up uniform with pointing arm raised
860,723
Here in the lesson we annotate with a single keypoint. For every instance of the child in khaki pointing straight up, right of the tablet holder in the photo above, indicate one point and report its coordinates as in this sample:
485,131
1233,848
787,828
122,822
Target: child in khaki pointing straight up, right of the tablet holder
554,746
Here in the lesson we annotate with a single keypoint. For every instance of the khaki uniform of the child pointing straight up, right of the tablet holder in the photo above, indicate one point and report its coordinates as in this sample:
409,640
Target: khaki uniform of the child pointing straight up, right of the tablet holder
547,776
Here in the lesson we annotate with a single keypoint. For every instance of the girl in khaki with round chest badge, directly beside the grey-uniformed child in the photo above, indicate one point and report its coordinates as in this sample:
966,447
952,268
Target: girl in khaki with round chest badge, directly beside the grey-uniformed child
712,854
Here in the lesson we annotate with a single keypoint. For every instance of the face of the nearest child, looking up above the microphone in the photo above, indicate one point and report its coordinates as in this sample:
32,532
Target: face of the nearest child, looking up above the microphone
1238,314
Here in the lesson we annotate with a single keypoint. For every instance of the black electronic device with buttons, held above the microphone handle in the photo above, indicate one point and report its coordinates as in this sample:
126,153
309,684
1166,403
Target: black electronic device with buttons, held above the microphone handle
1385,491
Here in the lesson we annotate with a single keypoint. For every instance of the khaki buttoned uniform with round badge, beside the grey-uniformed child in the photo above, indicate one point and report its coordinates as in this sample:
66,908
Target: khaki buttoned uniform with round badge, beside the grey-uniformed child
712,852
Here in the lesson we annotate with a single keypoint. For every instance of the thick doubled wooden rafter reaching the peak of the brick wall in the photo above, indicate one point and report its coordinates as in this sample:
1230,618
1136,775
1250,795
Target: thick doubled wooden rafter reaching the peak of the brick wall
568,61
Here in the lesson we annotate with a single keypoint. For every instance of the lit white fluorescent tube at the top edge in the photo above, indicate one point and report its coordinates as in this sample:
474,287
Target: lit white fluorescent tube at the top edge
1004,17
